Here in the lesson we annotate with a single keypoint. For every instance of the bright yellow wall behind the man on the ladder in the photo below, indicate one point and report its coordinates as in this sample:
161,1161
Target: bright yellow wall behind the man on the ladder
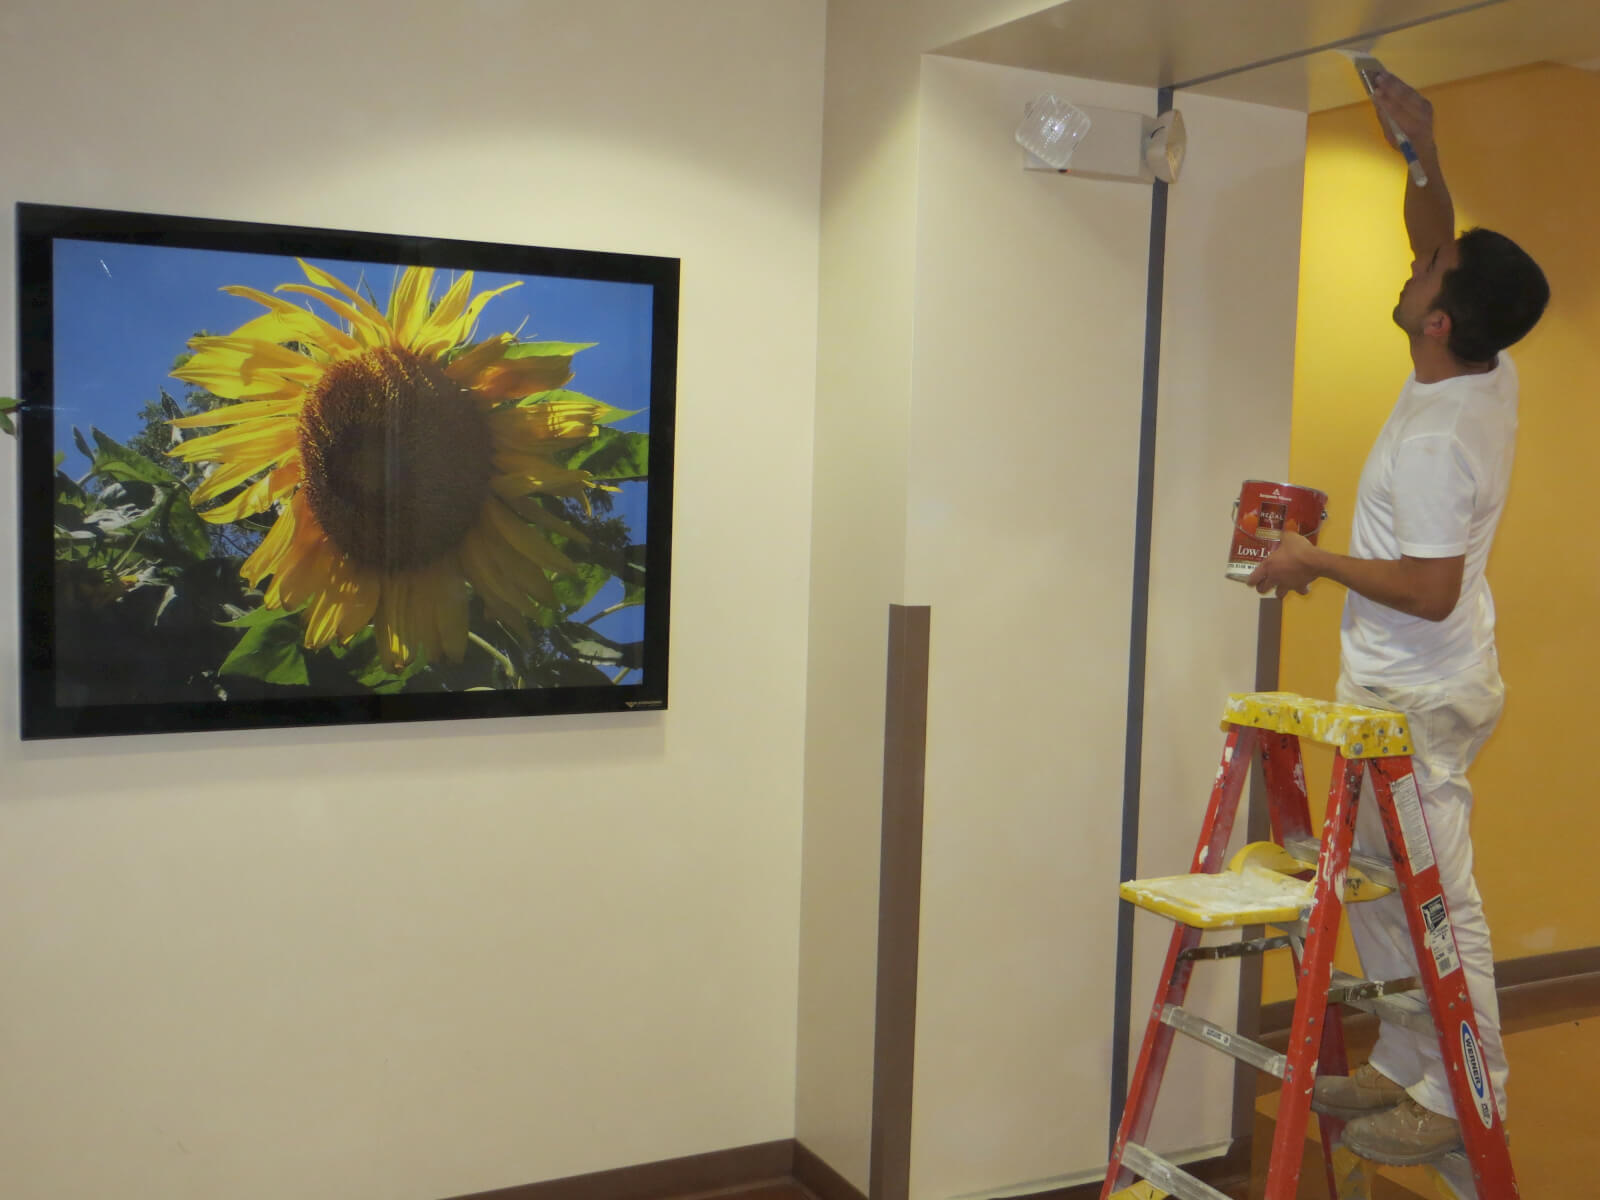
1518,151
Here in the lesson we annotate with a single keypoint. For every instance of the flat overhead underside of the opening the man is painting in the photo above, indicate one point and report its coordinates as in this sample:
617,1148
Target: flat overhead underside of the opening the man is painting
1278,52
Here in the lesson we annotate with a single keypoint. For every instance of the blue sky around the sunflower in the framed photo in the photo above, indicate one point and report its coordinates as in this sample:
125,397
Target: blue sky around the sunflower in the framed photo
126,313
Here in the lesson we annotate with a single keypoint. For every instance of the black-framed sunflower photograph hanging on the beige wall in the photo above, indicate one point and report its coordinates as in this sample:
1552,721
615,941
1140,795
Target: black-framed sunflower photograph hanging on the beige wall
279,476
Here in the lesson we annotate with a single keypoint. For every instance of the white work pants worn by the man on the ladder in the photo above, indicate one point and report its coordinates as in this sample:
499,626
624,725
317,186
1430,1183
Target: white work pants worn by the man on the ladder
1450,721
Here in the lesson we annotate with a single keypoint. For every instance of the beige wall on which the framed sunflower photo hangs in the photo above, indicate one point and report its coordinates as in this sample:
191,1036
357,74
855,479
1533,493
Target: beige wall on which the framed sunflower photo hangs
438,959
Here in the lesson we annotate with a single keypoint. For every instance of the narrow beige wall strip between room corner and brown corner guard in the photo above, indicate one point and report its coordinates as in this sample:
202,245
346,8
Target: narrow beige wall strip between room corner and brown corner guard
858,530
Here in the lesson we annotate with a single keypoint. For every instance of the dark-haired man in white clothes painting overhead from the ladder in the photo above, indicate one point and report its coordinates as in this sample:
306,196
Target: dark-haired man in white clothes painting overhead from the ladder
1418,628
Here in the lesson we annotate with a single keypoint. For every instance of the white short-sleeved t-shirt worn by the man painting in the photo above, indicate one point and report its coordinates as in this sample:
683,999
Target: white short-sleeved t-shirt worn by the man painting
1434,487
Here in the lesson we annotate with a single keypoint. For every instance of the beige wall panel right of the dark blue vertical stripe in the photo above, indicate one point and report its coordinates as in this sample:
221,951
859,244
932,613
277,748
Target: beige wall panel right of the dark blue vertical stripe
1228,370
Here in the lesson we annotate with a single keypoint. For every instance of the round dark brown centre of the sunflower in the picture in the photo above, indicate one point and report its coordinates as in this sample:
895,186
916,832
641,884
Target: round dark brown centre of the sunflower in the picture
396,457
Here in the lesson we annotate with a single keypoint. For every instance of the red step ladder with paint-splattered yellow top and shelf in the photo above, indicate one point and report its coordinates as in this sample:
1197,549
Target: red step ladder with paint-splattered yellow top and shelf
1266,886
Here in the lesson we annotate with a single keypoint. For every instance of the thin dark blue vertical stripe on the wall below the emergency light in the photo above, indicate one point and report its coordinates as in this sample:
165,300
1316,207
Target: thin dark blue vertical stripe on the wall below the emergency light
1134,745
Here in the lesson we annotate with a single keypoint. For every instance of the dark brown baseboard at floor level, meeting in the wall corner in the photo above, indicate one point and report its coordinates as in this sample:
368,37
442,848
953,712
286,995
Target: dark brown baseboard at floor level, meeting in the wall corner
783,1161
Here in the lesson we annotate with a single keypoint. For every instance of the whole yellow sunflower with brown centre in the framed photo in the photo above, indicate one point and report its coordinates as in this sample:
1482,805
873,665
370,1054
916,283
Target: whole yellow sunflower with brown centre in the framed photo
401,460
